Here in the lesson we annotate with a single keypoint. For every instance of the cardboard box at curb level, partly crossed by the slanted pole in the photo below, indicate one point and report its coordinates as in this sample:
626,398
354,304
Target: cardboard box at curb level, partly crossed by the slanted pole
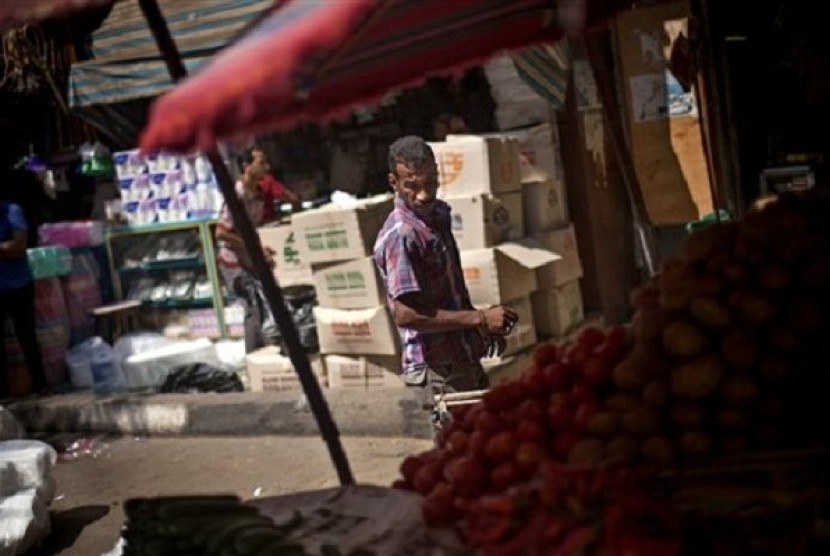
270,371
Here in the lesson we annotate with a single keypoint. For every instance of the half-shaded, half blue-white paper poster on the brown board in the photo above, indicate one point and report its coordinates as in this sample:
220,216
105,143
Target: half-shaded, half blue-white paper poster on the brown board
657,96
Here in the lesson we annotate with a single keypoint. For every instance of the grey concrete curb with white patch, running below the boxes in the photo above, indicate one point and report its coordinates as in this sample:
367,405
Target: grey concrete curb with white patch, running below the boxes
381,412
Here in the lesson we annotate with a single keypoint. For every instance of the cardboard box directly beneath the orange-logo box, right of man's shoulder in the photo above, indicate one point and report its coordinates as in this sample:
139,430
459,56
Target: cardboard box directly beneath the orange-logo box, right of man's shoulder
481,220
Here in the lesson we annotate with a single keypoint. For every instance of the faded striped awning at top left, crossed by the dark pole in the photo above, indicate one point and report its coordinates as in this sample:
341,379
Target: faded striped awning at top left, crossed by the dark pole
126,63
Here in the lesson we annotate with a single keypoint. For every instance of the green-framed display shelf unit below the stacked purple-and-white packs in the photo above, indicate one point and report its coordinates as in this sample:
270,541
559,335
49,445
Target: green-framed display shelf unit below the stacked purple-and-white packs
130,255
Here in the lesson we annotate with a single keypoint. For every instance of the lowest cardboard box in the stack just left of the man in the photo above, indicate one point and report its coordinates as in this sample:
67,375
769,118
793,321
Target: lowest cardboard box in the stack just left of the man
363,371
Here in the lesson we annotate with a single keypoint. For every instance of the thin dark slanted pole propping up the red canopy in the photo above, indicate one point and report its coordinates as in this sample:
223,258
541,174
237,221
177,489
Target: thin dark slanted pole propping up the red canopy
273,293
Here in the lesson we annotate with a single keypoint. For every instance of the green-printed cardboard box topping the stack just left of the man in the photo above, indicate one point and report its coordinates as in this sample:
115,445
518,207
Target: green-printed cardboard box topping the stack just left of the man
337,233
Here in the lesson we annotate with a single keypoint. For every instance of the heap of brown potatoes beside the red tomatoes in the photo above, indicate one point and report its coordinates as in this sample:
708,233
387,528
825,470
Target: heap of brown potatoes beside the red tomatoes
730,341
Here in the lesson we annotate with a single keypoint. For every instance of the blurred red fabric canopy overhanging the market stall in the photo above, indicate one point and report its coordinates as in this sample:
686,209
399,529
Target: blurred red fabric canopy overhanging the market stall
314,60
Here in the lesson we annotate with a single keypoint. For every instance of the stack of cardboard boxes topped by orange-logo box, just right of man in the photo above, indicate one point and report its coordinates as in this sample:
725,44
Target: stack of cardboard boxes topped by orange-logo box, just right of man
480,178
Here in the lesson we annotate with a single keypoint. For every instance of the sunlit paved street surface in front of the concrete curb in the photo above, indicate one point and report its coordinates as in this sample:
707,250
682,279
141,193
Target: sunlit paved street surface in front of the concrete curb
87,511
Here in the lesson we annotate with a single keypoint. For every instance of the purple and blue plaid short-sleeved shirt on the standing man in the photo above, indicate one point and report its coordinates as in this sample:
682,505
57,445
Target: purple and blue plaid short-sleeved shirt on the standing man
414,257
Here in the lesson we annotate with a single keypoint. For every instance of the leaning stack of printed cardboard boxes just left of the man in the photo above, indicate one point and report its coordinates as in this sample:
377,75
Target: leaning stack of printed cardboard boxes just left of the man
357,336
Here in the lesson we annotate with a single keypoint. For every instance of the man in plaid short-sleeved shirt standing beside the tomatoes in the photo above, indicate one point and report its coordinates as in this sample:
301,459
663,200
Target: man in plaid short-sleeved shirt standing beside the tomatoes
442,335
